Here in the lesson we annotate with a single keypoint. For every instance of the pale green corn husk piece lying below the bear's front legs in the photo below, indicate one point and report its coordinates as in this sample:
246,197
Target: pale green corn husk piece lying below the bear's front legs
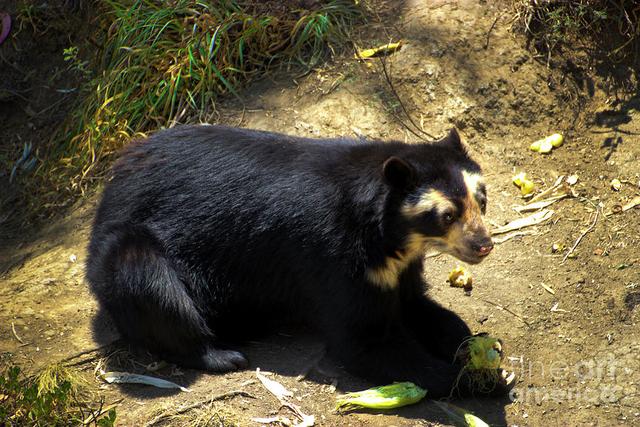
384,397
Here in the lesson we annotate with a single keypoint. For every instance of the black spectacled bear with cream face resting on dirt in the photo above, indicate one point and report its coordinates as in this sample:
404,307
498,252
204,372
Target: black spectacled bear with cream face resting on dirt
204,228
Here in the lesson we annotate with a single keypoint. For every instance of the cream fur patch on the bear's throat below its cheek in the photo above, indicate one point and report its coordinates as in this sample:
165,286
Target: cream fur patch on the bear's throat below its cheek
387,275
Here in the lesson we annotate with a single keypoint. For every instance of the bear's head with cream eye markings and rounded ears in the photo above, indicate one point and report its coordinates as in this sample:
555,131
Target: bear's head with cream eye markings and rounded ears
442,198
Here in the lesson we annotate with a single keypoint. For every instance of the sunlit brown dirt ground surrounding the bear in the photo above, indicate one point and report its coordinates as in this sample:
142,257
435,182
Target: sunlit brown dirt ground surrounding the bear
569,328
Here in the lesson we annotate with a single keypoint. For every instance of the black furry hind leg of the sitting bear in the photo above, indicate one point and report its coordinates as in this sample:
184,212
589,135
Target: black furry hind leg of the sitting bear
148,300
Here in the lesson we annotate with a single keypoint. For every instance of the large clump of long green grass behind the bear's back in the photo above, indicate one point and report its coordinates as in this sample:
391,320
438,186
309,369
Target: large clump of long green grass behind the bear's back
168,62
